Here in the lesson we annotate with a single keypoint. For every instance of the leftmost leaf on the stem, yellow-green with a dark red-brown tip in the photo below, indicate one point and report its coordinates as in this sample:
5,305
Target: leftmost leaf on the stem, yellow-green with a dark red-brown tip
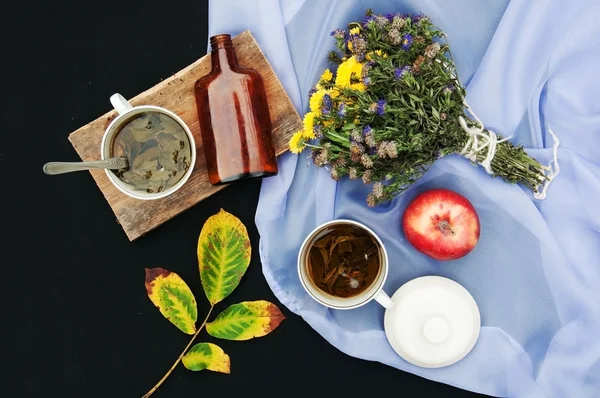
173,297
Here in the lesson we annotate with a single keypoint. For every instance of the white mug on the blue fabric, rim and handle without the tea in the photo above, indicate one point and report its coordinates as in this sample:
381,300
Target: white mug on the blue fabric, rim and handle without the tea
373,292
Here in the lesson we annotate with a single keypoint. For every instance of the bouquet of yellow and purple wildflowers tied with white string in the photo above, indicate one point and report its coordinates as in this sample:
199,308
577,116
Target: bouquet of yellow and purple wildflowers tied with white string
394,106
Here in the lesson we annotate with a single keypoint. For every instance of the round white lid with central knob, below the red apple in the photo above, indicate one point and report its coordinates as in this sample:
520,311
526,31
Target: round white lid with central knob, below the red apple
433,323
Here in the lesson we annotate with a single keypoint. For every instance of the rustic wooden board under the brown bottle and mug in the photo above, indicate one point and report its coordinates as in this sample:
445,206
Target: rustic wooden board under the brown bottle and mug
176,93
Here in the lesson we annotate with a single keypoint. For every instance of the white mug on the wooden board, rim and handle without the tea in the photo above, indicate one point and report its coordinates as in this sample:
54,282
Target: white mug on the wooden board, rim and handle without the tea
126,112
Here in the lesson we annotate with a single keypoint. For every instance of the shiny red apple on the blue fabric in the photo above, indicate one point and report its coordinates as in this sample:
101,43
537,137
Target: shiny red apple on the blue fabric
442,224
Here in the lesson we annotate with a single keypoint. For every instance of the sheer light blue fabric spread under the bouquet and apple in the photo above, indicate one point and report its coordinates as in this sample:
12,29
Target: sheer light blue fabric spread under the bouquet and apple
528,67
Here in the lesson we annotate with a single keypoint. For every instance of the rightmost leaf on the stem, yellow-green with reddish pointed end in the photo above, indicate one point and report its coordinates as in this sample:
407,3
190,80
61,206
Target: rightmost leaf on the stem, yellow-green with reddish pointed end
246,320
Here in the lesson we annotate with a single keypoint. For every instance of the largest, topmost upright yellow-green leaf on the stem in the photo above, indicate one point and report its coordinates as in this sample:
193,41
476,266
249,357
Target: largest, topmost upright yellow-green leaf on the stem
223,255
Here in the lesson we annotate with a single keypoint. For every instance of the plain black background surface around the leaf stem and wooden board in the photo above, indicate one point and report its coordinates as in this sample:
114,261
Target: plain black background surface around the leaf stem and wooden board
79,320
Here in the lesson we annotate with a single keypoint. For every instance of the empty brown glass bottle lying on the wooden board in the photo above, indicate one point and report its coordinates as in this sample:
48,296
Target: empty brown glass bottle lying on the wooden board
234,118
